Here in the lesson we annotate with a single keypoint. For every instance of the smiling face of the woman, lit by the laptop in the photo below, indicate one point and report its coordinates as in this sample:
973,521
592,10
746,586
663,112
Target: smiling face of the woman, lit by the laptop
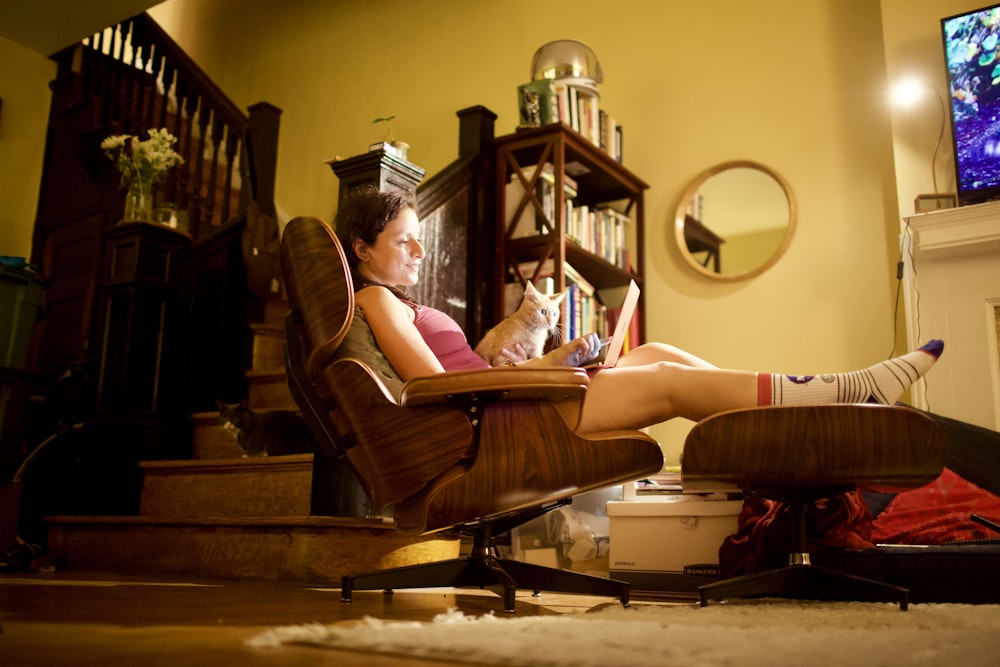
394,258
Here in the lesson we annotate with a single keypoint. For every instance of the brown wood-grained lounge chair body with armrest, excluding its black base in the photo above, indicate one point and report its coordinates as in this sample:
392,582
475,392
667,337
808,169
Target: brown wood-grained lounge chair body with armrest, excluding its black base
458,448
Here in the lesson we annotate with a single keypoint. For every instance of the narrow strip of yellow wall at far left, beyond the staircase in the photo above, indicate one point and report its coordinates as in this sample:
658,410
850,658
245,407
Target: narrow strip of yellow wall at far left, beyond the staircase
24,90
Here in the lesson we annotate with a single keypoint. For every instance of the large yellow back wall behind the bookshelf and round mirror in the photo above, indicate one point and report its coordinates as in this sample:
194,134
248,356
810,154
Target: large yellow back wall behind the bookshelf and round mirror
798,85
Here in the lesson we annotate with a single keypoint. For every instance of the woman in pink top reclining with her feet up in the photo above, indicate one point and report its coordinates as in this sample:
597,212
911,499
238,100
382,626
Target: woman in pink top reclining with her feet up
652,383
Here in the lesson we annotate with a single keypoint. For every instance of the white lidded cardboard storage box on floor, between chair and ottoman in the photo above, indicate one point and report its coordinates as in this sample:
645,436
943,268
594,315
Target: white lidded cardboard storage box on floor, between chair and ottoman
669,545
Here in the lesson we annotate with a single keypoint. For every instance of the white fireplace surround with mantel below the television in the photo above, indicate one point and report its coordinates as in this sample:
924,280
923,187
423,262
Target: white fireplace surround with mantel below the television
952,291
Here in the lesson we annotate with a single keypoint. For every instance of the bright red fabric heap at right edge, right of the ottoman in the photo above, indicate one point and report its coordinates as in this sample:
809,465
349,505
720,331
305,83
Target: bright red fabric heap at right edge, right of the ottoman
937,513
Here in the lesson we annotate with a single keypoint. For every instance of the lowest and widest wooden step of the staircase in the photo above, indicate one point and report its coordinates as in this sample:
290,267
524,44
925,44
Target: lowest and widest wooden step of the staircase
317,550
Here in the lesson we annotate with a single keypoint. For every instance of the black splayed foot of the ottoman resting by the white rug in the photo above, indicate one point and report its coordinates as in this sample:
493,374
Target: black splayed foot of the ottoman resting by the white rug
805,582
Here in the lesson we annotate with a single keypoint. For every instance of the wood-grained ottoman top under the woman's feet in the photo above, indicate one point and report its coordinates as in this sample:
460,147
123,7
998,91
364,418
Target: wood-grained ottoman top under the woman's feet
813,447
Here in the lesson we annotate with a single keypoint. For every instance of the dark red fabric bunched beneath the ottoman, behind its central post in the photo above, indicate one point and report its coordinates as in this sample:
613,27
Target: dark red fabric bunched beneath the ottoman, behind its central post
764,529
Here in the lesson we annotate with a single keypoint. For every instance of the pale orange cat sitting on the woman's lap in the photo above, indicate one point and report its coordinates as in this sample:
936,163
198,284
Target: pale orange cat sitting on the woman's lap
530,326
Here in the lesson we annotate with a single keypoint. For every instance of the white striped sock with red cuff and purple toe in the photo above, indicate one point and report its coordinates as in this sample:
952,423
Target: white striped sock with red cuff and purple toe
882,383
